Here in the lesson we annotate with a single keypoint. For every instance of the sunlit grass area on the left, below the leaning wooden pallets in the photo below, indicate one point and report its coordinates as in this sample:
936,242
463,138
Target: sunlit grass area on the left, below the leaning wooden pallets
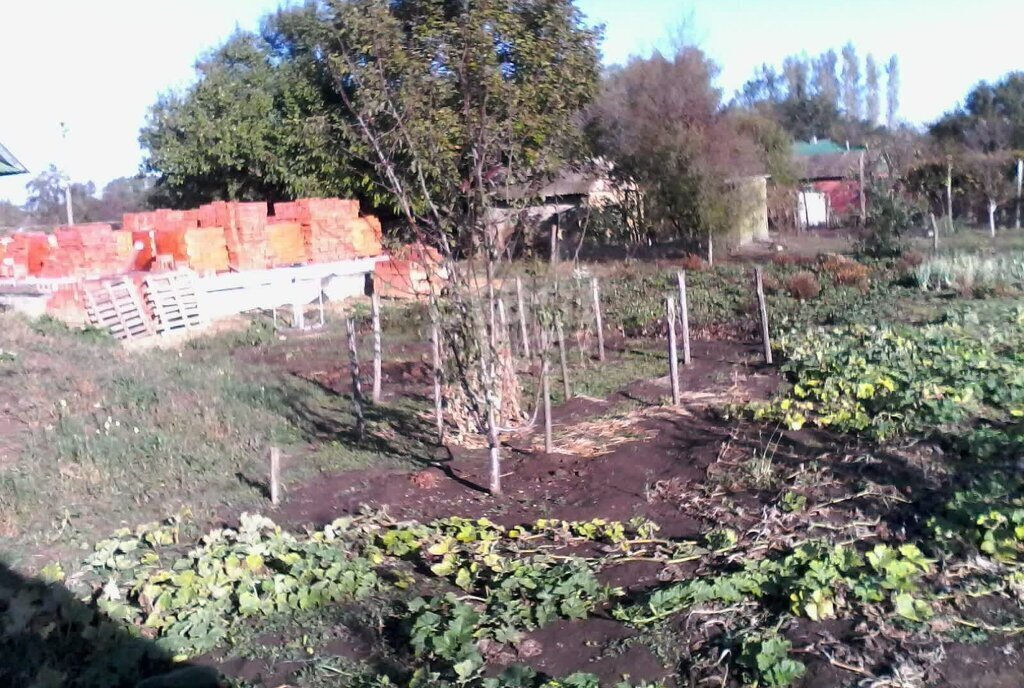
108,438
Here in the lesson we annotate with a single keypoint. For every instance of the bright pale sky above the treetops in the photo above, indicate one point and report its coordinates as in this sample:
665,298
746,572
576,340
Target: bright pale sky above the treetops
98,65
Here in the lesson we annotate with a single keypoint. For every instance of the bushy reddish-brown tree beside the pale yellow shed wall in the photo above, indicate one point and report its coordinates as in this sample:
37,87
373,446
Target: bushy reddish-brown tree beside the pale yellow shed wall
661,121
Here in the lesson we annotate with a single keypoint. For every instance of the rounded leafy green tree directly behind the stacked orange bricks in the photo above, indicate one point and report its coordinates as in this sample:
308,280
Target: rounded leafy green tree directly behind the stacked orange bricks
259,124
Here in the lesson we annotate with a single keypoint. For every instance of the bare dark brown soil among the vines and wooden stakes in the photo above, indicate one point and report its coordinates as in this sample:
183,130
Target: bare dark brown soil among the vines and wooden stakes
679,452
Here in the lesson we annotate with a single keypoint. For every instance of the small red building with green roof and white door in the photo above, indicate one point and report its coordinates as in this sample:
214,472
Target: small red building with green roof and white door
830,194
